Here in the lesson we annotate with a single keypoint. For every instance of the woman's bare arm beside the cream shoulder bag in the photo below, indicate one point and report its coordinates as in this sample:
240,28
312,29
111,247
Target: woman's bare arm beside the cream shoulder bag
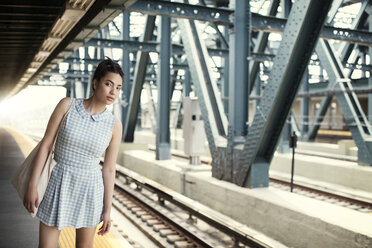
31,197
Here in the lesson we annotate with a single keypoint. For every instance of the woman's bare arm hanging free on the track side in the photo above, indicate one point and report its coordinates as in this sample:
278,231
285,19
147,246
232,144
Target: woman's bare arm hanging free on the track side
108,172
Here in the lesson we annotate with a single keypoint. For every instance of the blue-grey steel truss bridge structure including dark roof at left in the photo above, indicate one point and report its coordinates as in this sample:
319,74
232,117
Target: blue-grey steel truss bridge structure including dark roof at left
225,52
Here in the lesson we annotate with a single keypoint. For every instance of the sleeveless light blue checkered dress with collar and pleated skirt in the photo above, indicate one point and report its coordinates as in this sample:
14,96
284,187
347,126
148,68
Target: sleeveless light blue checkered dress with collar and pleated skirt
74,195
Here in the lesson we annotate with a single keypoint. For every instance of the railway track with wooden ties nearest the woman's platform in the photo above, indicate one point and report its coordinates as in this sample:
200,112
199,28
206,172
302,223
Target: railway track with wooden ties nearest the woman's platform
170,219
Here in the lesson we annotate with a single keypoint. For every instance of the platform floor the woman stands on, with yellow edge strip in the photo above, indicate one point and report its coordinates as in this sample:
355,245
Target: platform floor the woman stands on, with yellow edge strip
18,228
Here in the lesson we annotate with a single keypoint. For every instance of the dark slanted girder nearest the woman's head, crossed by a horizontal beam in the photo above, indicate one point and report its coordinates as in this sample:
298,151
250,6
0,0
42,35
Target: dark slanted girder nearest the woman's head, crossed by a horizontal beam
139,78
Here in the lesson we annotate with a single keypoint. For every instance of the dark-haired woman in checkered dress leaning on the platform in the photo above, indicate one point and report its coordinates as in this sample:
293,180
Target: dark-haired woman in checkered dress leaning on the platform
79,194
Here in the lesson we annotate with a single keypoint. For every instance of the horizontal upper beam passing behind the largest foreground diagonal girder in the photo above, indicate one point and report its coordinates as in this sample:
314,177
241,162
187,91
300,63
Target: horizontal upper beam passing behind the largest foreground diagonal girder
276,25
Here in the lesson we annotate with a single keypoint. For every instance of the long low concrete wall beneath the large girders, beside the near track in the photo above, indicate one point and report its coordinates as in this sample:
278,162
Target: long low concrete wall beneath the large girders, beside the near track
284,217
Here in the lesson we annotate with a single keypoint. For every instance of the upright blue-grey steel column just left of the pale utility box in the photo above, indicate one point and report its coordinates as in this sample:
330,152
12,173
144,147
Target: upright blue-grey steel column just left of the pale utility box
163,109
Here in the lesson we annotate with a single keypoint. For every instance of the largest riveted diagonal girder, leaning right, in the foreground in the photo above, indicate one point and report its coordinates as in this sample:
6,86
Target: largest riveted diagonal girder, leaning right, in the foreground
298,40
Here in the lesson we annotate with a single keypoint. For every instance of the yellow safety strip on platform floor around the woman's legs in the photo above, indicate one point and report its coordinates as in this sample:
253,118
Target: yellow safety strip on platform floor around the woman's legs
68,236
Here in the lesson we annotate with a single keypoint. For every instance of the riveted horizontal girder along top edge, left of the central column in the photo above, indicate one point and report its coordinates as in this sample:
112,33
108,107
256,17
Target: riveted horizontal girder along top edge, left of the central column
180,10
